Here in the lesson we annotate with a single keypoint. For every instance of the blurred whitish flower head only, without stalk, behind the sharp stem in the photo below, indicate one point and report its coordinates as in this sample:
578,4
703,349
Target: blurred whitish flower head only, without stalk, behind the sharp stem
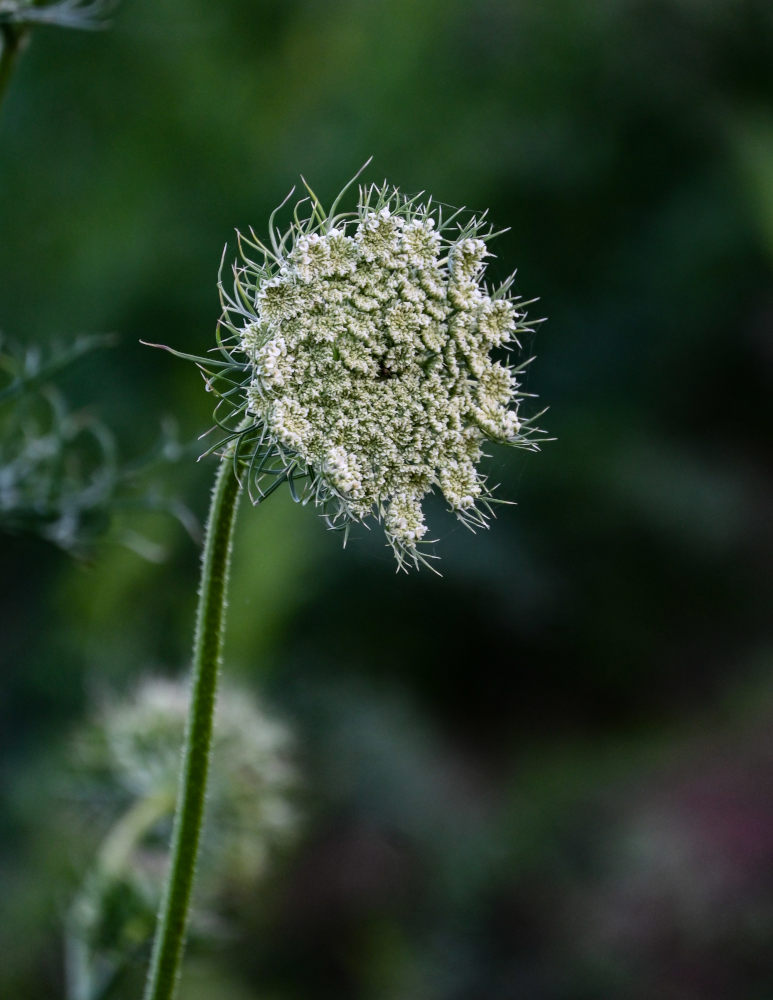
136,744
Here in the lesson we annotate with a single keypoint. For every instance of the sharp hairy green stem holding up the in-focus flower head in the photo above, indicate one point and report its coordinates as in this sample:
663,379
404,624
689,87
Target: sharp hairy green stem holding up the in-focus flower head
170,931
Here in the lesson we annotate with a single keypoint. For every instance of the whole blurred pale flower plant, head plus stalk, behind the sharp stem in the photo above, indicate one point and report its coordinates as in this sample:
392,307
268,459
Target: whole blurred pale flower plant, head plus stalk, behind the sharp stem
127,768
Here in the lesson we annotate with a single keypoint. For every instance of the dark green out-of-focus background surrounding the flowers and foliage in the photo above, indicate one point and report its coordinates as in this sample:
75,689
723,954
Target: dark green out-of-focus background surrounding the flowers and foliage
548,774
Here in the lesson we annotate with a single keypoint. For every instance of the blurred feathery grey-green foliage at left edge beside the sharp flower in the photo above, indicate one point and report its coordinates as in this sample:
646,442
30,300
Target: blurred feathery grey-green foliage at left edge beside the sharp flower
61,478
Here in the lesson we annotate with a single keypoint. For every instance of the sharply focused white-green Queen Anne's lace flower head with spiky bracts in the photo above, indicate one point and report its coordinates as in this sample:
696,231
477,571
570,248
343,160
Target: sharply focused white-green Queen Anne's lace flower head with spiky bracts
358,362
